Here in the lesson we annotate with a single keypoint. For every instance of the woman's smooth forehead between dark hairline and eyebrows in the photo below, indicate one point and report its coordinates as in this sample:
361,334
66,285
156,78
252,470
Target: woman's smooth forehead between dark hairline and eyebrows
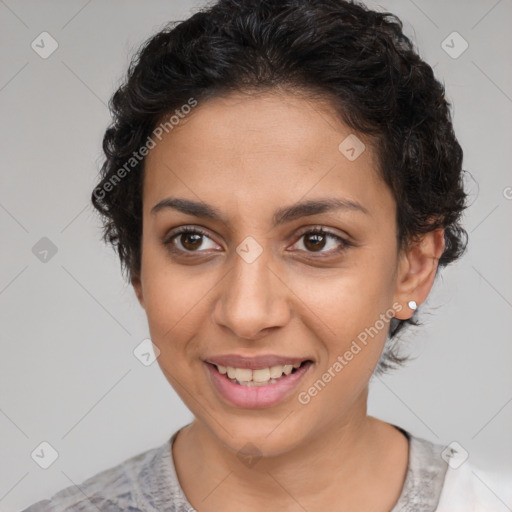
270,148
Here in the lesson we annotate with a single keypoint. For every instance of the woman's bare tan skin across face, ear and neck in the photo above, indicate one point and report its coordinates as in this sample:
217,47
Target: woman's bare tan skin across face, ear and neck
248,155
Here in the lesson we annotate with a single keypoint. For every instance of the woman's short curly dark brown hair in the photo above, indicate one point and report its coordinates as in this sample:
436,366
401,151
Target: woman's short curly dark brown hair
357,58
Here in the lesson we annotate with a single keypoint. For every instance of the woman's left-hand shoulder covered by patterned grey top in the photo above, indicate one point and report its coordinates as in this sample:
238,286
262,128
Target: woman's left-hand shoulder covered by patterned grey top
117,488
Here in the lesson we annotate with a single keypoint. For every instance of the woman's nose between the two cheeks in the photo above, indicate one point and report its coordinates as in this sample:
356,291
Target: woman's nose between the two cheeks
253,299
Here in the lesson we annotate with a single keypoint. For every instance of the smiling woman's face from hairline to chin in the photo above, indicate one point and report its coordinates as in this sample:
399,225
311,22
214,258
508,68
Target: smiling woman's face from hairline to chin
252,280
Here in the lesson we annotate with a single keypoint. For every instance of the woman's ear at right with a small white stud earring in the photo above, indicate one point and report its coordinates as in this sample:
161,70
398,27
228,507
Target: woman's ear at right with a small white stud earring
417,269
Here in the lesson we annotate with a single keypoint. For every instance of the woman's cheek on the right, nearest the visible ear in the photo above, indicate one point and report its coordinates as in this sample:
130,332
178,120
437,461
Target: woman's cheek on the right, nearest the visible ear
349,310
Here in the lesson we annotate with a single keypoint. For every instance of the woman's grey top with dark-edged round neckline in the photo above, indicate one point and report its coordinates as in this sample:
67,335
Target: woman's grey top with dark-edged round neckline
147,482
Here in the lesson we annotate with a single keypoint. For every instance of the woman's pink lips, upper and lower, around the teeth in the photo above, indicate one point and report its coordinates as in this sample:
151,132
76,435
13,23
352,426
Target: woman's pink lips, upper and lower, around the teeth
256,396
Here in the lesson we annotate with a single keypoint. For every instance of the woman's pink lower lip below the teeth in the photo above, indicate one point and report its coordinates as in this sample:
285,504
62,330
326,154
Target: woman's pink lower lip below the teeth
256,397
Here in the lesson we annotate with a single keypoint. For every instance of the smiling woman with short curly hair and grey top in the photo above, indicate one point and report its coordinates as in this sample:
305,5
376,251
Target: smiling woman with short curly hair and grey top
282,184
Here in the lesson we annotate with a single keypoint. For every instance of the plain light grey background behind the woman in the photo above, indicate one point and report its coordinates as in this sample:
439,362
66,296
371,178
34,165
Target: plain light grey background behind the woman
69,325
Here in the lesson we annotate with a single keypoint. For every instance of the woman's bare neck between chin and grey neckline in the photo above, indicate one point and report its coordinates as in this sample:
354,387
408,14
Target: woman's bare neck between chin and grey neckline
344,459
